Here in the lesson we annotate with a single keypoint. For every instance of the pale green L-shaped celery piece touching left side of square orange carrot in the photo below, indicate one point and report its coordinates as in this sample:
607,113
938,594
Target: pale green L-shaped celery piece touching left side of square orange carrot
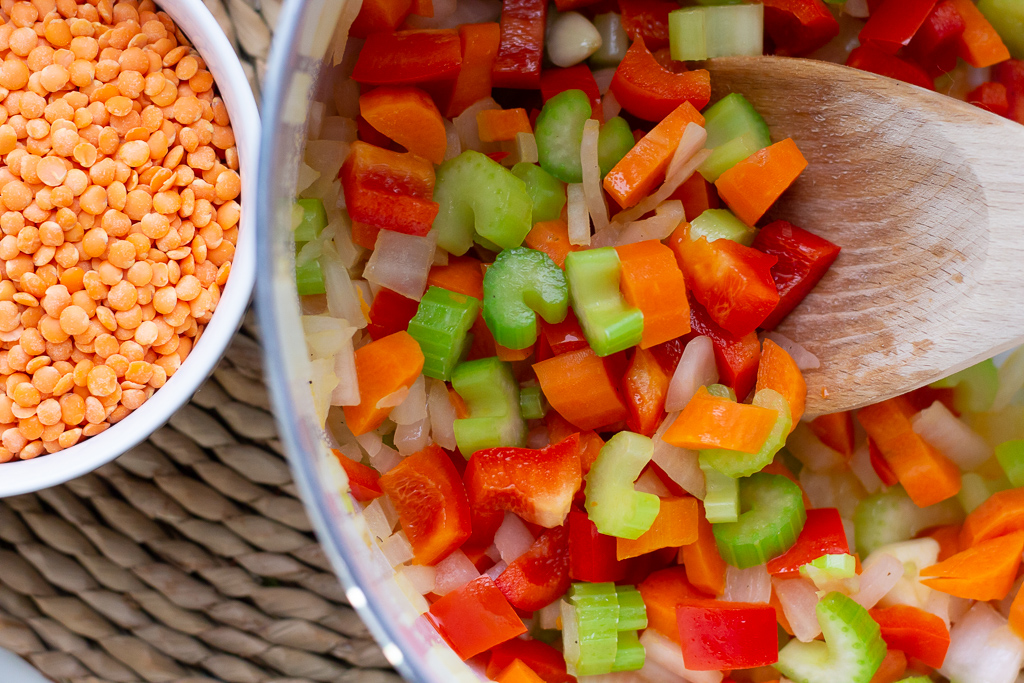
609,323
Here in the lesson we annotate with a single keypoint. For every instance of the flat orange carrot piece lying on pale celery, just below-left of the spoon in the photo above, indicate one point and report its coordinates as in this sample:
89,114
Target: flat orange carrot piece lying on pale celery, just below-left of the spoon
710,422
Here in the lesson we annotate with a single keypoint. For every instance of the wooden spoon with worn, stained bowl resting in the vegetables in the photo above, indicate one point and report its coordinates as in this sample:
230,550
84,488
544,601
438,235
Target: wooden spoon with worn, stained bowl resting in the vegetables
925,194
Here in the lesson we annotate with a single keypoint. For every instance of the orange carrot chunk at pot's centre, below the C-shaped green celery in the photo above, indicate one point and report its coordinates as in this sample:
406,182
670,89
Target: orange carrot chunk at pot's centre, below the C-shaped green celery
579,386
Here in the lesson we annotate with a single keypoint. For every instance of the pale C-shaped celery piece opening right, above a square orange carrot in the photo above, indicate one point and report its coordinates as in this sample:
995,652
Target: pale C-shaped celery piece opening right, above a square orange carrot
613,504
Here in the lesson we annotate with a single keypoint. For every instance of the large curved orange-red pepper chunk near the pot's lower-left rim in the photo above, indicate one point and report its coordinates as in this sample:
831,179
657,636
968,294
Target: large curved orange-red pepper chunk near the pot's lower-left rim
431,500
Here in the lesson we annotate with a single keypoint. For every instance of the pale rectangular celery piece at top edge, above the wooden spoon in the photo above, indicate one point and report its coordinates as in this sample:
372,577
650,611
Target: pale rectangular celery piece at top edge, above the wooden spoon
703,33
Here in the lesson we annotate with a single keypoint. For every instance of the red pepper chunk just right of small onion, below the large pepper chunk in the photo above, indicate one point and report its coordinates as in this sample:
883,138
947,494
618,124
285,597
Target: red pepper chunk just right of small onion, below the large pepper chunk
540,576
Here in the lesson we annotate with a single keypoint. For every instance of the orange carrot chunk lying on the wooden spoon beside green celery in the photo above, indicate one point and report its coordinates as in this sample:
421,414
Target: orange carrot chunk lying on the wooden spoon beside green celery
752,187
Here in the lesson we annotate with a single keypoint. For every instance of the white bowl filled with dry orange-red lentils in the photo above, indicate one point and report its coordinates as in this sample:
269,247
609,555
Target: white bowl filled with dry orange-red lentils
129,141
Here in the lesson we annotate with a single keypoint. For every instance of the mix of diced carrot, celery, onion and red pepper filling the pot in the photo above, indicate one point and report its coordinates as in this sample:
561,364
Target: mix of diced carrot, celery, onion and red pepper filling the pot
540,290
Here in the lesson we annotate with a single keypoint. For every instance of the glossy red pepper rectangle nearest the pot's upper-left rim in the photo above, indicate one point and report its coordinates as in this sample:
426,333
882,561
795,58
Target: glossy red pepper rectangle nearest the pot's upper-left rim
408,58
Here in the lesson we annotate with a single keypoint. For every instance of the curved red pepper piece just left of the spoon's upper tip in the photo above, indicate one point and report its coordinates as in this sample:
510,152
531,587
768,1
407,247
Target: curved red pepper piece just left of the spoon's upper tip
649,91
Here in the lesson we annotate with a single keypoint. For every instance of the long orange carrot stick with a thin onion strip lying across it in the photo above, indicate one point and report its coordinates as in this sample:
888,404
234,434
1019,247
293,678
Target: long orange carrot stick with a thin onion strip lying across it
644,167
